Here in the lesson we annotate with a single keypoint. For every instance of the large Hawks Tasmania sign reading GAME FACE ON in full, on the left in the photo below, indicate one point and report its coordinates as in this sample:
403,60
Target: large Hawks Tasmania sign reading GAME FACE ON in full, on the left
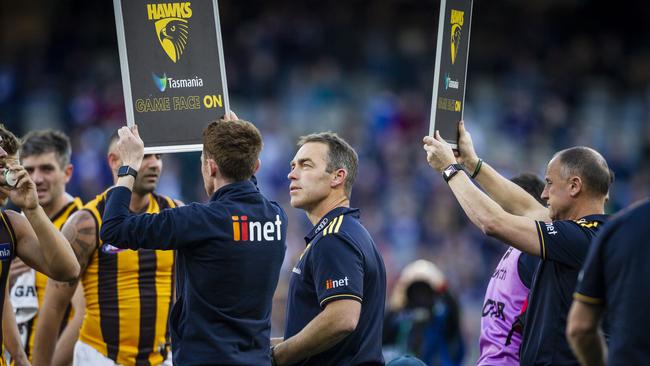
173,72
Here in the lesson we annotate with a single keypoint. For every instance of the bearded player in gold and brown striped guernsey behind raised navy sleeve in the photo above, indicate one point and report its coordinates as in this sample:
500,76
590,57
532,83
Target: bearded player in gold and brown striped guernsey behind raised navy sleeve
128,293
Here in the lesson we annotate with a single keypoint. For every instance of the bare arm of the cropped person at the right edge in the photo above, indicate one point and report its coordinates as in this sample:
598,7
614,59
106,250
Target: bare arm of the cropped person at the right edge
583,335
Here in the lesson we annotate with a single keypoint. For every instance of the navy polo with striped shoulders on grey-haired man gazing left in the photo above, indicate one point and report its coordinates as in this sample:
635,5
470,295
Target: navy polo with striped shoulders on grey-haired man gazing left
340,262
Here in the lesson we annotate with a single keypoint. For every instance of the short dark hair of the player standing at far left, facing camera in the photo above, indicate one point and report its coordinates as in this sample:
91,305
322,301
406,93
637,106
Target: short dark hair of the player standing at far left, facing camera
47,141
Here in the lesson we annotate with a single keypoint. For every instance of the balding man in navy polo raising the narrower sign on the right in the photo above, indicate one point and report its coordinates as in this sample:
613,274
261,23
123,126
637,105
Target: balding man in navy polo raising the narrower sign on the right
576,189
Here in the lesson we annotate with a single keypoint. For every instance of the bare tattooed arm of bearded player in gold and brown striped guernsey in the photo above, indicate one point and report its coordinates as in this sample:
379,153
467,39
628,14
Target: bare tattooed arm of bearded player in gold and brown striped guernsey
80,230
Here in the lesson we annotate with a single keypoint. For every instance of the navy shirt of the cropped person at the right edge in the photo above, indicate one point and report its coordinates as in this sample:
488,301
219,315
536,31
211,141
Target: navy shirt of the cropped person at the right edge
617,275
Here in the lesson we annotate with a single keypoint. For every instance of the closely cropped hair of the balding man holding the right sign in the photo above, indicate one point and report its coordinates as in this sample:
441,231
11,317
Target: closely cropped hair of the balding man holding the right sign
589,165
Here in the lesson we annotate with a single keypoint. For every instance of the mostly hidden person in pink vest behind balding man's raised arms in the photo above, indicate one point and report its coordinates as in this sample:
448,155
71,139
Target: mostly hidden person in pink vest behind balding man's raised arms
506,297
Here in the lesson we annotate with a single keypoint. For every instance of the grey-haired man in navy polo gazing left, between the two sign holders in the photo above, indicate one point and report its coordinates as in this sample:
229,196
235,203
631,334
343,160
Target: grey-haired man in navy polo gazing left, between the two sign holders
335,306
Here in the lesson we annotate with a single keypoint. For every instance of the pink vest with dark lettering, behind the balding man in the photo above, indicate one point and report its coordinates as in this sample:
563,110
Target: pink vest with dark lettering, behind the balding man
504,299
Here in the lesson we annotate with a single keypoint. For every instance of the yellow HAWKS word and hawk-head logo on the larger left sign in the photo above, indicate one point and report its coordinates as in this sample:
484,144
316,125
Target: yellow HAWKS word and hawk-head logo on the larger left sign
172,26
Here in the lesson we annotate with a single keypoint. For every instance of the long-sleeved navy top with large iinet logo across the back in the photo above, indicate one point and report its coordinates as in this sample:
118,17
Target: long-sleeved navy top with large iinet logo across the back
229,254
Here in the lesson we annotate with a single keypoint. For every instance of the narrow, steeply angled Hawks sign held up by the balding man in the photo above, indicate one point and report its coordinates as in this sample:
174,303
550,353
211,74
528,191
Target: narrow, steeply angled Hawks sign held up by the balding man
452,51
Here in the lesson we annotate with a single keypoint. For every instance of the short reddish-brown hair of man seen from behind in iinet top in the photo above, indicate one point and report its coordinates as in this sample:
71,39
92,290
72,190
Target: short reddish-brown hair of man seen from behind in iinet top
235,146
